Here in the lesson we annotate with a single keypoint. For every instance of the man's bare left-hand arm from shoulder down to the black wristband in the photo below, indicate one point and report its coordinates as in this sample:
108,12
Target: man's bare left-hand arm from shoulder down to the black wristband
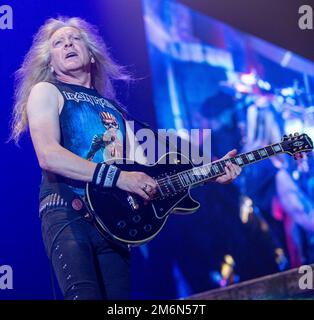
43,116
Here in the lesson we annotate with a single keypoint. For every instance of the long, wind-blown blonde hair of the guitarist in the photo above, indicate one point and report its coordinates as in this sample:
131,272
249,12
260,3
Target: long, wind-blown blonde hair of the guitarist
35,67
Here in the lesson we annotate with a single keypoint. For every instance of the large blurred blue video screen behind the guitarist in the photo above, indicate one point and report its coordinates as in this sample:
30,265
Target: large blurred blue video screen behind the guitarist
207,74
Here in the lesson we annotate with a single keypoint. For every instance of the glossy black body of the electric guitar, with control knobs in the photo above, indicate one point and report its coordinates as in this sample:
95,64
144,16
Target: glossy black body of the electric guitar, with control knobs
126,217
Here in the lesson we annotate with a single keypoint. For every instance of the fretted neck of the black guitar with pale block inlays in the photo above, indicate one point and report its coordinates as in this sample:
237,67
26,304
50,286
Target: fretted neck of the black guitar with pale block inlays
202,174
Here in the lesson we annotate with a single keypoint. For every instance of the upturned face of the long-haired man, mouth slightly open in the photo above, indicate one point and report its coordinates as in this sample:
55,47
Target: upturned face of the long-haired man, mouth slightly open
68,51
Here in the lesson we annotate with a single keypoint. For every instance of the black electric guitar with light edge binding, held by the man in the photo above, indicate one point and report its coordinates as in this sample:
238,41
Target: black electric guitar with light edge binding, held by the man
127,218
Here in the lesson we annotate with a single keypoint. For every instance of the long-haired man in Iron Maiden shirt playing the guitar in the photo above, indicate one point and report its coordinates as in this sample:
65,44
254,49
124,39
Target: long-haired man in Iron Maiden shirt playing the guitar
64,94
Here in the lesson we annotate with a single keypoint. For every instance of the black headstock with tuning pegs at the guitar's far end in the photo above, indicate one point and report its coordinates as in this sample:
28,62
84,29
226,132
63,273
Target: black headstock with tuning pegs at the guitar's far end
295,144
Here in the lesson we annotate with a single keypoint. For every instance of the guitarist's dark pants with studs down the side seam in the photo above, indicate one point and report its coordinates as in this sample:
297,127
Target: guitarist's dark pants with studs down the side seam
87,265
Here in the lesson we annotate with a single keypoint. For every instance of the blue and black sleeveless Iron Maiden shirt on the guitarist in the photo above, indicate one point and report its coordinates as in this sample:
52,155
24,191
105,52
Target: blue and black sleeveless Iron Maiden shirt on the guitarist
91,127
